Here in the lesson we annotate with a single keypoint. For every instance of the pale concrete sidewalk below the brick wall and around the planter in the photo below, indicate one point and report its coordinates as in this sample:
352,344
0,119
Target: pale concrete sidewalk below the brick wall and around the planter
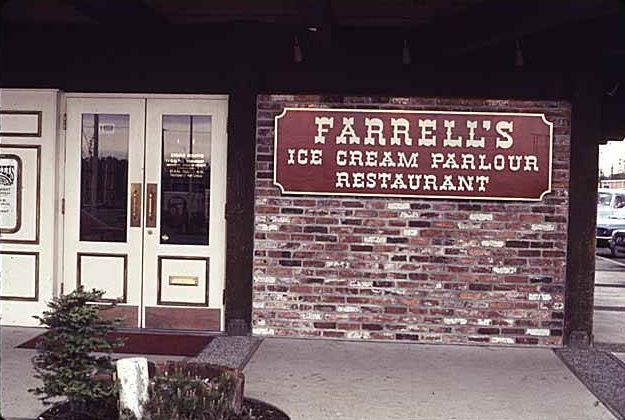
318,380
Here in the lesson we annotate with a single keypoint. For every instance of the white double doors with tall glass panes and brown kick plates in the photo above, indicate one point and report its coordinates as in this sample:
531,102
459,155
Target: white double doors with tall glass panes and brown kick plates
144,219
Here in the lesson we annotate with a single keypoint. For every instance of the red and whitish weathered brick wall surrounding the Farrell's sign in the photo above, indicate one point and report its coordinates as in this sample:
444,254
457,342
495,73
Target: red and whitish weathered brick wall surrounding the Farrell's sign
427,270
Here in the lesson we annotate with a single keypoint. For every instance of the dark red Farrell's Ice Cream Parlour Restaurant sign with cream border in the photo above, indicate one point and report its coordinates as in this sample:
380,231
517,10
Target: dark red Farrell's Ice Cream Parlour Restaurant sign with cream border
465,155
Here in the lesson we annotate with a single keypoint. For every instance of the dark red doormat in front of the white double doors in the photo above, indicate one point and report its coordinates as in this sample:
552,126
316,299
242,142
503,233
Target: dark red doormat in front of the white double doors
150,343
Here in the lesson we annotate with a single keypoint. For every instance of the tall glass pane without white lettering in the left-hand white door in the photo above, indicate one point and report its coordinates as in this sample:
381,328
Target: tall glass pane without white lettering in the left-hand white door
104,177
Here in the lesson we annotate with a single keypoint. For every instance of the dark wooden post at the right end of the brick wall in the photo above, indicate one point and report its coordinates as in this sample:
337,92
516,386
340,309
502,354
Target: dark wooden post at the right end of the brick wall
581,246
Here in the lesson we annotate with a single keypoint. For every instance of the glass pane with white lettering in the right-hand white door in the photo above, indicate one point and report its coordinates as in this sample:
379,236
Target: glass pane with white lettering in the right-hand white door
185,179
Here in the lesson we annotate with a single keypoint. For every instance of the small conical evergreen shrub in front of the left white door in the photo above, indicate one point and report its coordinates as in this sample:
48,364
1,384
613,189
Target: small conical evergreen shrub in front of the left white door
65,360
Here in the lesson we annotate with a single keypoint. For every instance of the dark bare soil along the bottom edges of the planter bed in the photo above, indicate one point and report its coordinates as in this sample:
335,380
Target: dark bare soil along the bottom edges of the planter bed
259,410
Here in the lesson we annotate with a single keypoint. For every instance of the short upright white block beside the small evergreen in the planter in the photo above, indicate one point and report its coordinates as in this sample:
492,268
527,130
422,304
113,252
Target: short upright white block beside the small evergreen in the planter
133,378
